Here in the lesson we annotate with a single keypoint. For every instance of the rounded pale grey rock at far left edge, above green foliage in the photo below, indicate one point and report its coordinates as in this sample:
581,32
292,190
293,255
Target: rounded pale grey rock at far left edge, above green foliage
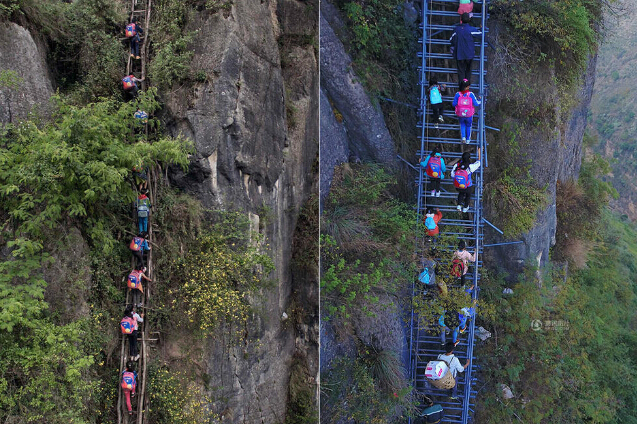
20,53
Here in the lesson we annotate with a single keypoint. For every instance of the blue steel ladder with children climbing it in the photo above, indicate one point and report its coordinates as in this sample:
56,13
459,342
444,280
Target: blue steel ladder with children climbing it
439,18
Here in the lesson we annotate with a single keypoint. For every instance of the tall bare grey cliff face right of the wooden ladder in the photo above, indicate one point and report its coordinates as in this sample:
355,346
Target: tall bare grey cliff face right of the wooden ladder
254,123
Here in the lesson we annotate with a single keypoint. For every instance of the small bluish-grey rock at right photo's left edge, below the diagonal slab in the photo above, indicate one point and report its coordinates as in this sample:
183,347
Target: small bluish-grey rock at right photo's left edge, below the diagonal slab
334,146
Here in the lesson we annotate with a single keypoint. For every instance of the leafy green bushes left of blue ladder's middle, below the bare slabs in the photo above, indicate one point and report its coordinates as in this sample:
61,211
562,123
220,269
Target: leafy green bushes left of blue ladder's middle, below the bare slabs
367,241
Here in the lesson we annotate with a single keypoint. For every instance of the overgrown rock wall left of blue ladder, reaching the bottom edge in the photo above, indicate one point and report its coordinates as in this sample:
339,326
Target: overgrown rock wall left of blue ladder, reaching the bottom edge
367,269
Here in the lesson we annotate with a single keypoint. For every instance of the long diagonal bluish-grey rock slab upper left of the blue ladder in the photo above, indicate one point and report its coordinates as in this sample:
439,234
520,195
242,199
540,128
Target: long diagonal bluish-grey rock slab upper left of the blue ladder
367,133
